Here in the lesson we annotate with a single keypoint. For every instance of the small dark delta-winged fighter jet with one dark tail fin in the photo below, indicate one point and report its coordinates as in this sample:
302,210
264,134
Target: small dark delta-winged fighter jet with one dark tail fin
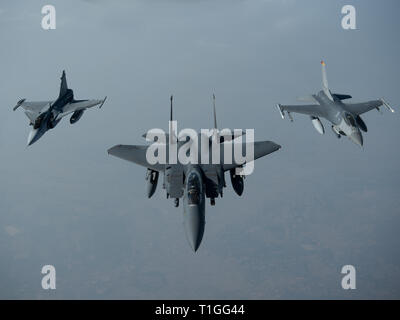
45,115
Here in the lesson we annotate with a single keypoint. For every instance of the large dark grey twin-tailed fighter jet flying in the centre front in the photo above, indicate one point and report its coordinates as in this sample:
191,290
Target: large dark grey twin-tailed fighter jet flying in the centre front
192,182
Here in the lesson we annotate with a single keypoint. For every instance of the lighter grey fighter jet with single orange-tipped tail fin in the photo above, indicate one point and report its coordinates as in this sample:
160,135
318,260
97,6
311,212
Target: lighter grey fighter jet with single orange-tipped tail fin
344,117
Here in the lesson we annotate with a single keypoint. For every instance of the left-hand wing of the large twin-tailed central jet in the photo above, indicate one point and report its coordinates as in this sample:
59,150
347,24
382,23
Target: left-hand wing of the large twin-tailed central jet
135,154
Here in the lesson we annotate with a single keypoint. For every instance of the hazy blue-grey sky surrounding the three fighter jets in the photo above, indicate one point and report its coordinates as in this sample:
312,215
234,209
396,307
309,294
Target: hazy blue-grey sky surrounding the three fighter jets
317,204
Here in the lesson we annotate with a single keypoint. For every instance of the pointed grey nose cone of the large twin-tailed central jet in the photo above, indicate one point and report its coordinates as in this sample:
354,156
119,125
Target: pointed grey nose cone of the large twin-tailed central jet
194,225
